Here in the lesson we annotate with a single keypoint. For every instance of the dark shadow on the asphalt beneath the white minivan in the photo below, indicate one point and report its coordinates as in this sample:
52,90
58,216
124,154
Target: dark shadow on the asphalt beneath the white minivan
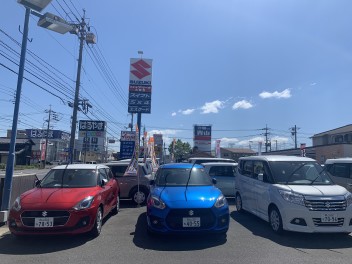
261,228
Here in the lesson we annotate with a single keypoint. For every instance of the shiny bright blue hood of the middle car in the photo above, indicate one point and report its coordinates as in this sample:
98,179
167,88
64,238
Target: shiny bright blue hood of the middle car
179,197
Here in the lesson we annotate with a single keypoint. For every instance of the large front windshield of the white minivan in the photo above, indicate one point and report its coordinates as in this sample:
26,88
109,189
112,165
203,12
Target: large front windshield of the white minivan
299,173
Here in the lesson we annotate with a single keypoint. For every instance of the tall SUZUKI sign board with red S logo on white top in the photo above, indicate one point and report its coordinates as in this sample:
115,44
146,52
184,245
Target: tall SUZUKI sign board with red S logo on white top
140,86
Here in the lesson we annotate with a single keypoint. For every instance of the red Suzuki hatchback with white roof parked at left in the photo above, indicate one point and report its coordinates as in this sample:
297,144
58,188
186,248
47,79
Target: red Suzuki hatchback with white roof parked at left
70,199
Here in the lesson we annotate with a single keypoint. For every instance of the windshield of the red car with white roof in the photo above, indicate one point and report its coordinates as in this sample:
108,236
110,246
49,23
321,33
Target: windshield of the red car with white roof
70,178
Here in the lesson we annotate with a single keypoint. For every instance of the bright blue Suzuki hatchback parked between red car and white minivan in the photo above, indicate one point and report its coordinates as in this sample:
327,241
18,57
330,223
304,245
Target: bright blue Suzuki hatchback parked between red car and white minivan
183,199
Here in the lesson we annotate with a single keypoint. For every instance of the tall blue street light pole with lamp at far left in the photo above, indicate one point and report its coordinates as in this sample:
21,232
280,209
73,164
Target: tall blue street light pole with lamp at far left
30,5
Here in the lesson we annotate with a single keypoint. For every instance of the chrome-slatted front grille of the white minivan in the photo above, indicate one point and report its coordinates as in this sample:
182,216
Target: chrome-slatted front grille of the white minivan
326,204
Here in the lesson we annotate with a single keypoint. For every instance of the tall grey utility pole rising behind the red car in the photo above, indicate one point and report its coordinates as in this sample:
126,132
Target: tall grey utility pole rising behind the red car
90,38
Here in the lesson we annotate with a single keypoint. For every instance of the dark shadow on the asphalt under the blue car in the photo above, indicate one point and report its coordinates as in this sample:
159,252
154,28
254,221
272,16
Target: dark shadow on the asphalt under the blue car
173,242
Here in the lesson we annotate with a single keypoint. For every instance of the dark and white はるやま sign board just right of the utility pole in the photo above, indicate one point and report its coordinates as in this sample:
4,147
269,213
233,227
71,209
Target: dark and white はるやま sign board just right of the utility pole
92,134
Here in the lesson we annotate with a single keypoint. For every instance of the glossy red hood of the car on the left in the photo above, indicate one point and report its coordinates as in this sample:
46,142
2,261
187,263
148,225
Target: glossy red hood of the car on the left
55,197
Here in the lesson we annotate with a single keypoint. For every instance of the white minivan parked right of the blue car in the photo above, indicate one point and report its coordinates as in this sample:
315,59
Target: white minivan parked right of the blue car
292,193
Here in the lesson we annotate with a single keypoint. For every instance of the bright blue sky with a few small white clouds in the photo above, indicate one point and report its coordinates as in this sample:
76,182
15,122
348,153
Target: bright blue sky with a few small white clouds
240,66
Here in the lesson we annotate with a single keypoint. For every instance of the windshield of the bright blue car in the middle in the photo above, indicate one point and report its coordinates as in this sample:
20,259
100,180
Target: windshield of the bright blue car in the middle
181,176
